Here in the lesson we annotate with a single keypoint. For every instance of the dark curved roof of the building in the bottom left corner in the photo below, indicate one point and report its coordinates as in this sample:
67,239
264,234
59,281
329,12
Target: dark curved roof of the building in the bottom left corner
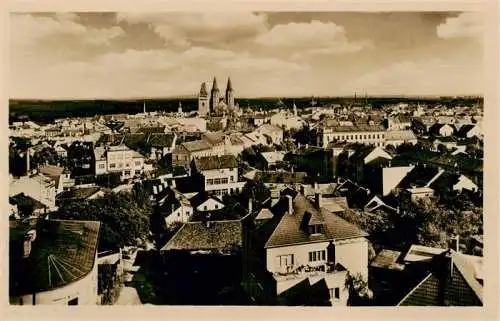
63,252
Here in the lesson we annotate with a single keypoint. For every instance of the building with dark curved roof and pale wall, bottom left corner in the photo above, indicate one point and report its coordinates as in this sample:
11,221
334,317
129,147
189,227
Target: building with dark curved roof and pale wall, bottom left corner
53,262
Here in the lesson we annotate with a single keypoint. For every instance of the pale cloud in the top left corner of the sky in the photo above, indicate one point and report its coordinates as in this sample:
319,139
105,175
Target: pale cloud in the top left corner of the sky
30,30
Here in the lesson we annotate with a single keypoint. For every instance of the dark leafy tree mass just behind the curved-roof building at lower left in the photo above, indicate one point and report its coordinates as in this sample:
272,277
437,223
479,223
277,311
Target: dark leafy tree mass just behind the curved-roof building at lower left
125,220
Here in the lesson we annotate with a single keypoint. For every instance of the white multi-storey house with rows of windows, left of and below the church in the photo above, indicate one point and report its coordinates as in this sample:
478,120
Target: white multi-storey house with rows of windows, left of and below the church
119,159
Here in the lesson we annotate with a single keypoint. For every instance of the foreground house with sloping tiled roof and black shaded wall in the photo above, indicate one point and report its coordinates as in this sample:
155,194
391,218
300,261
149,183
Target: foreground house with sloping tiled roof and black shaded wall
200,269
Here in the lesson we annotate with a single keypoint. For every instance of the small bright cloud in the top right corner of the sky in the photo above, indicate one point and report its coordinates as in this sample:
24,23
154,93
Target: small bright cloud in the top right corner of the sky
467,24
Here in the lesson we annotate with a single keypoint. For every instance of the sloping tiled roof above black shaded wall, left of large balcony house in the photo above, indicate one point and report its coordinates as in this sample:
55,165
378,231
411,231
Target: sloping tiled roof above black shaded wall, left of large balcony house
220,235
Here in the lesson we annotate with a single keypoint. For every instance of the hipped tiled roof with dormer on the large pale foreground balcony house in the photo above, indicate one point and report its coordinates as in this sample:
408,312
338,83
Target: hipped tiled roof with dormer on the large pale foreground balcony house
289,231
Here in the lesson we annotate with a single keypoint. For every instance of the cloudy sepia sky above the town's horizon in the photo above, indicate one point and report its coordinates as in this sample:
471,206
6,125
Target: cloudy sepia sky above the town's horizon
267,54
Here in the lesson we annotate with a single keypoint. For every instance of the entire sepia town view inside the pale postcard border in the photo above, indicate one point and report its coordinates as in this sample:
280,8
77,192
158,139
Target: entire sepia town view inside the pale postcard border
270,158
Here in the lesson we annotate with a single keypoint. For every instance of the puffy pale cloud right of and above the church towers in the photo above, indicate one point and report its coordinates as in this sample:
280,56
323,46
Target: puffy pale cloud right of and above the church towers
313,38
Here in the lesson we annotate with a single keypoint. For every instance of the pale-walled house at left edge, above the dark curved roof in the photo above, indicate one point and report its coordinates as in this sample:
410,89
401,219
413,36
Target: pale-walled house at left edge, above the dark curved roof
38,187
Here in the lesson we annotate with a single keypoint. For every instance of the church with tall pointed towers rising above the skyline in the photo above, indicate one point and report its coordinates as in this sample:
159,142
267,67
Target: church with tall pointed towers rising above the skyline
216,104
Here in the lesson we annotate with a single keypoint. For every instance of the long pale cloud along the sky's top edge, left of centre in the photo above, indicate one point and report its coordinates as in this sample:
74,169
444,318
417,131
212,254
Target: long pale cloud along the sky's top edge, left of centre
210,28
